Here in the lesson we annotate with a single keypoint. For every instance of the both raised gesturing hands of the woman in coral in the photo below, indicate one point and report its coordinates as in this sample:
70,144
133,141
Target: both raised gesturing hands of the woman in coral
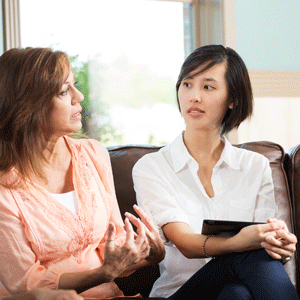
144,244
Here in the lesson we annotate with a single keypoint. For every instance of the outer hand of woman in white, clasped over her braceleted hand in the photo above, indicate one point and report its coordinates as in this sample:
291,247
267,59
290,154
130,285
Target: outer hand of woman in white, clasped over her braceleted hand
281,246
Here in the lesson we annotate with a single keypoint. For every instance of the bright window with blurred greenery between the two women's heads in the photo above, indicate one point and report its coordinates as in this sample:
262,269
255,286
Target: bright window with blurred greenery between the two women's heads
127,56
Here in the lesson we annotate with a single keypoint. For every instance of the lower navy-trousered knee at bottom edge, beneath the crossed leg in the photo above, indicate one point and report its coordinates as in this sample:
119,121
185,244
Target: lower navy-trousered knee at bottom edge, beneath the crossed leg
235,291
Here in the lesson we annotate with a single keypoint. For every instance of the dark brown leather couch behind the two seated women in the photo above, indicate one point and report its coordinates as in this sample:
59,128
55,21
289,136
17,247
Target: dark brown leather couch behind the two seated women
286,176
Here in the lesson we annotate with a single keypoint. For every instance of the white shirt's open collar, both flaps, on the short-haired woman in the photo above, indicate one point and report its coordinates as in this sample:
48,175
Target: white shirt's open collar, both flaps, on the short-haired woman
181,156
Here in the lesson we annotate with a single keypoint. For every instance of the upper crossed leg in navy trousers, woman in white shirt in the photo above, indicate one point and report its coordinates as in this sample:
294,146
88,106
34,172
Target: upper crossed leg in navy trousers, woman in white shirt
263,276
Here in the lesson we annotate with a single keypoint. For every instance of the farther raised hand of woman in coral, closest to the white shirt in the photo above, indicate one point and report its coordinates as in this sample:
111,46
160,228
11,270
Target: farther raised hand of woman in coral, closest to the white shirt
157,249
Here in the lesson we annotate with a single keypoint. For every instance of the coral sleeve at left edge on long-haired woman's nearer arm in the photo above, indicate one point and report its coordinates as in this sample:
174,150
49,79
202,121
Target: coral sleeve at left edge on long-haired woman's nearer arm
20,270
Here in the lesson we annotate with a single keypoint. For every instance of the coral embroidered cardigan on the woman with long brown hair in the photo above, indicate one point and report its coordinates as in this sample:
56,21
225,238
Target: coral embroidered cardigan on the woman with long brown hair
40,239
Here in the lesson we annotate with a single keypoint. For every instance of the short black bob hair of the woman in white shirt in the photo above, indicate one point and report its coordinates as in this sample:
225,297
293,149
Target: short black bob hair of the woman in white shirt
236,75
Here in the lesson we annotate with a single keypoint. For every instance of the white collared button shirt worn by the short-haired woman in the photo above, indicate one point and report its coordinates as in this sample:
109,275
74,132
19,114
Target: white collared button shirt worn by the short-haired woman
169,189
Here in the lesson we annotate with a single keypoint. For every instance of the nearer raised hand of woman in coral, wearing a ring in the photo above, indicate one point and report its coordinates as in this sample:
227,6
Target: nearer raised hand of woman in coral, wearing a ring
135,248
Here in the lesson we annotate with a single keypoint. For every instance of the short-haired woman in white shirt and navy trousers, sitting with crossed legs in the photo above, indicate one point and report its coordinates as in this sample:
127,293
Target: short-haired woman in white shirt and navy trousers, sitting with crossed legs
200,175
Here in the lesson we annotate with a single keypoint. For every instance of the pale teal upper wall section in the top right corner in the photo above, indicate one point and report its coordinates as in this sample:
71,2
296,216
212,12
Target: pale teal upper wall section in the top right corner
268,33
